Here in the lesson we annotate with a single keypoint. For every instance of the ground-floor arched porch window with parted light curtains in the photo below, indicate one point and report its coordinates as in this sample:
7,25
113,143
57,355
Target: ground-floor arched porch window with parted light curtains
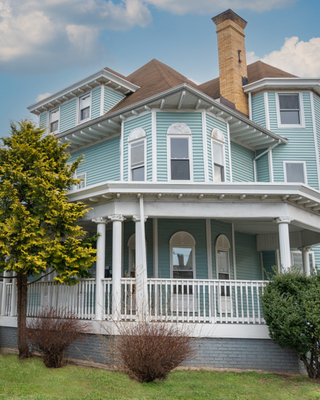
182,253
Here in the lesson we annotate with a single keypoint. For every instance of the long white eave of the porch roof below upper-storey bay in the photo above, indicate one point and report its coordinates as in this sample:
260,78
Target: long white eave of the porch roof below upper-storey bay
299,195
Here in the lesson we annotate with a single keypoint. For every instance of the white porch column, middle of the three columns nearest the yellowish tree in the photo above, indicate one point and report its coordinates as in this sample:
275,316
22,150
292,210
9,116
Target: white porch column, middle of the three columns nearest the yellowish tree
116,264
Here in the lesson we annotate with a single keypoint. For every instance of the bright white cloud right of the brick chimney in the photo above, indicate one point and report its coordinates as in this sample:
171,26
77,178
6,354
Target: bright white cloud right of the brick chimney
298,58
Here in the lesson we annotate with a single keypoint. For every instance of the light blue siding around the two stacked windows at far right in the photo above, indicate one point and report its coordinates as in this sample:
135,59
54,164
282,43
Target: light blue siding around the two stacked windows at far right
301,146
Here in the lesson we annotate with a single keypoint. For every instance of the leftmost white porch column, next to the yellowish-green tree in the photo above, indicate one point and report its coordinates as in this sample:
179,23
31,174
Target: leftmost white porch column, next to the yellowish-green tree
100,267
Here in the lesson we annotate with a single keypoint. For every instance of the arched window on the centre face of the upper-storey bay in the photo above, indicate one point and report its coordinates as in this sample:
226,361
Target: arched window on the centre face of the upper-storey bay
179,152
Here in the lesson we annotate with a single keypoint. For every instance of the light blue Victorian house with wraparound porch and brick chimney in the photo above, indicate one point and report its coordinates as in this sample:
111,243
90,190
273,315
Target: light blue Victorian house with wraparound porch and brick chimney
196,192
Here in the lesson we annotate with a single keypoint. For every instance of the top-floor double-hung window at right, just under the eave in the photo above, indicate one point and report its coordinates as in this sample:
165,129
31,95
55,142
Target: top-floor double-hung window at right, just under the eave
289,109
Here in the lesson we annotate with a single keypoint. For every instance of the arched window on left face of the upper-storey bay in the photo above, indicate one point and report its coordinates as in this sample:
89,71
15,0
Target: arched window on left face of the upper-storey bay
137,155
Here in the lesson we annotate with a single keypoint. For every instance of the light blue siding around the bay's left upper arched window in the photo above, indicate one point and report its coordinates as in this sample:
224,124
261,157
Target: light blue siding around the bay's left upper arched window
144,122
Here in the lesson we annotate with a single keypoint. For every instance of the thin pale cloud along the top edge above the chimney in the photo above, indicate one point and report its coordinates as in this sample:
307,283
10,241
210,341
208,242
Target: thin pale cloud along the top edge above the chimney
212,6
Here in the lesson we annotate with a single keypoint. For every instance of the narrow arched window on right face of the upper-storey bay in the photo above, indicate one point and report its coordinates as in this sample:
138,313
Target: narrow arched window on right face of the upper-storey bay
218,158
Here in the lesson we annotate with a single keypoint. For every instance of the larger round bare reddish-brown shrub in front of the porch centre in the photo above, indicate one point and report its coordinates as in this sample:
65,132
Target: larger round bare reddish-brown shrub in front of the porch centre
150,351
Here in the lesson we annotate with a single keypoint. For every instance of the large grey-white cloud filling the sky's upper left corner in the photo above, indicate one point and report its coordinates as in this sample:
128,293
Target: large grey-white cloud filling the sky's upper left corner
48,34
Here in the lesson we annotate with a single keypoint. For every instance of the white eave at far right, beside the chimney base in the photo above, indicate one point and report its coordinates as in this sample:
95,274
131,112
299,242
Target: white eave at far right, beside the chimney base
280,84
